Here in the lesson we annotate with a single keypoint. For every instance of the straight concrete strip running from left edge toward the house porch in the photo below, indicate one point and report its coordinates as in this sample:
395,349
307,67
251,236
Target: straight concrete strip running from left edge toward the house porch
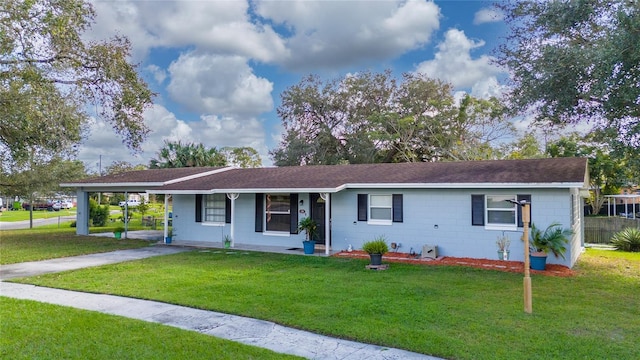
34,268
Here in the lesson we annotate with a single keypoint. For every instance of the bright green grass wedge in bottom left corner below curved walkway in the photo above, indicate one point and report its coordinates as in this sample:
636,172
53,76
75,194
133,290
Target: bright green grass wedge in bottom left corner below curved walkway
32,330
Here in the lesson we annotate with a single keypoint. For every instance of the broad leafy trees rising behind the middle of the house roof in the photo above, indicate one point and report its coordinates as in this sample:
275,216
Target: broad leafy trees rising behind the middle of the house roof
373,117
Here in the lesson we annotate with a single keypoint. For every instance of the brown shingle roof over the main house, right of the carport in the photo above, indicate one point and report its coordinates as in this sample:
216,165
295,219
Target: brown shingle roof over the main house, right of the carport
531,171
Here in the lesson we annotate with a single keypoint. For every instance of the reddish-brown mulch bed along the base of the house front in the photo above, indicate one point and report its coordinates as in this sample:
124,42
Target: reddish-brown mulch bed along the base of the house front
499,265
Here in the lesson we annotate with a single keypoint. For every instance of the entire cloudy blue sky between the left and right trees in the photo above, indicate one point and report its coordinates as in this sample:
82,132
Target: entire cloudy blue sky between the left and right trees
219,66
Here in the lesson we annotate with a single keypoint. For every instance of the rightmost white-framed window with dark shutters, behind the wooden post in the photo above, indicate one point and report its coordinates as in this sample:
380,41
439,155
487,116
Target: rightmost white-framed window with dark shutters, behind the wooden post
496,211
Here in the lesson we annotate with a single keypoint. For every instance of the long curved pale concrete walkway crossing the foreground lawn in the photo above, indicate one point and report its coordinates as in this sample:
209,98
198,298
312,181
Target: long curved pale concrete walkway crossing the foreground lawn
255,332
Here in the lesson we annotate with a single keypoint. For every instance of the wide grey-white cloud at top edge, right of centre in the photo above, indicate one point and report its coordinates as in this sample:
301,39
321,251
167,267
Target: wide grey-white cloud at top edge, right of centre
334,33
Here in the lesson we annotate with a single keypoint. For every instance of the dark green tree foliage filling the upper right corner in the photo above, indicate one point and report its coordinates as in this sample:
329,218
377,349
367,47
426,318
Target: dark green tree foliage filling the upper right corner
575,61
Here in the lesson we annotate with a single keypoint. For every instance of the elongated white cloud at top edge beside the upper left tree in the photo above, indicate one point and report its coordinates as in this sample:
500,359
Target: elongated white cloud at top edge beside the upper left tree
222,27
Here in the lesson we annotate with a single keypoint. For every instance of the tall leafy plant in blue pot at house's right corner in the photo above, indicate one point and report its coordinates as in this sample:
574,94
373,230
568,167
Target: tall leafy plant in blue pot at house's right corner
553,239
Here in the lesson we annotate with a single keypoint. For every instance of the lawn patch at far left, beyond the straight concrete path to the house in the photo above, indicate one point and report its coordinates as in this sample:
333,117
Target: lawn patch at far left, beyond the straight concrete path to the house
43,243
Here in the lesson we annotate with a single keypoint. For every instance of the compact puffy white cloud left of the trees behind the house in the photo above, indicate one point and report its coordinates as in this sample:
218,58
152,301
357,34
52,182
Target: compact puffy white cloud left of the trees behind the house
214,84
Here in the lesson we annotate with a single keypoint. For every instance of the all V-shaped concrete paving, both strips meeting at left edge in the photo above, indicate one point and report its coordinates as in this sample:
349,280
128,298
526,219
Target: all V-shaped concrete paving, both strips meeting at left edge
236,328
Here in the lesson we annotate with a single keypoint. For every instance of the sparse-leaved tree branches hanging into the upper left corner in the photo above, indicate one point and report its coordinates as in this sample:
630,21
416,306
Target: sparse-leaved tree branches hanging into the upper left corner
49,75
